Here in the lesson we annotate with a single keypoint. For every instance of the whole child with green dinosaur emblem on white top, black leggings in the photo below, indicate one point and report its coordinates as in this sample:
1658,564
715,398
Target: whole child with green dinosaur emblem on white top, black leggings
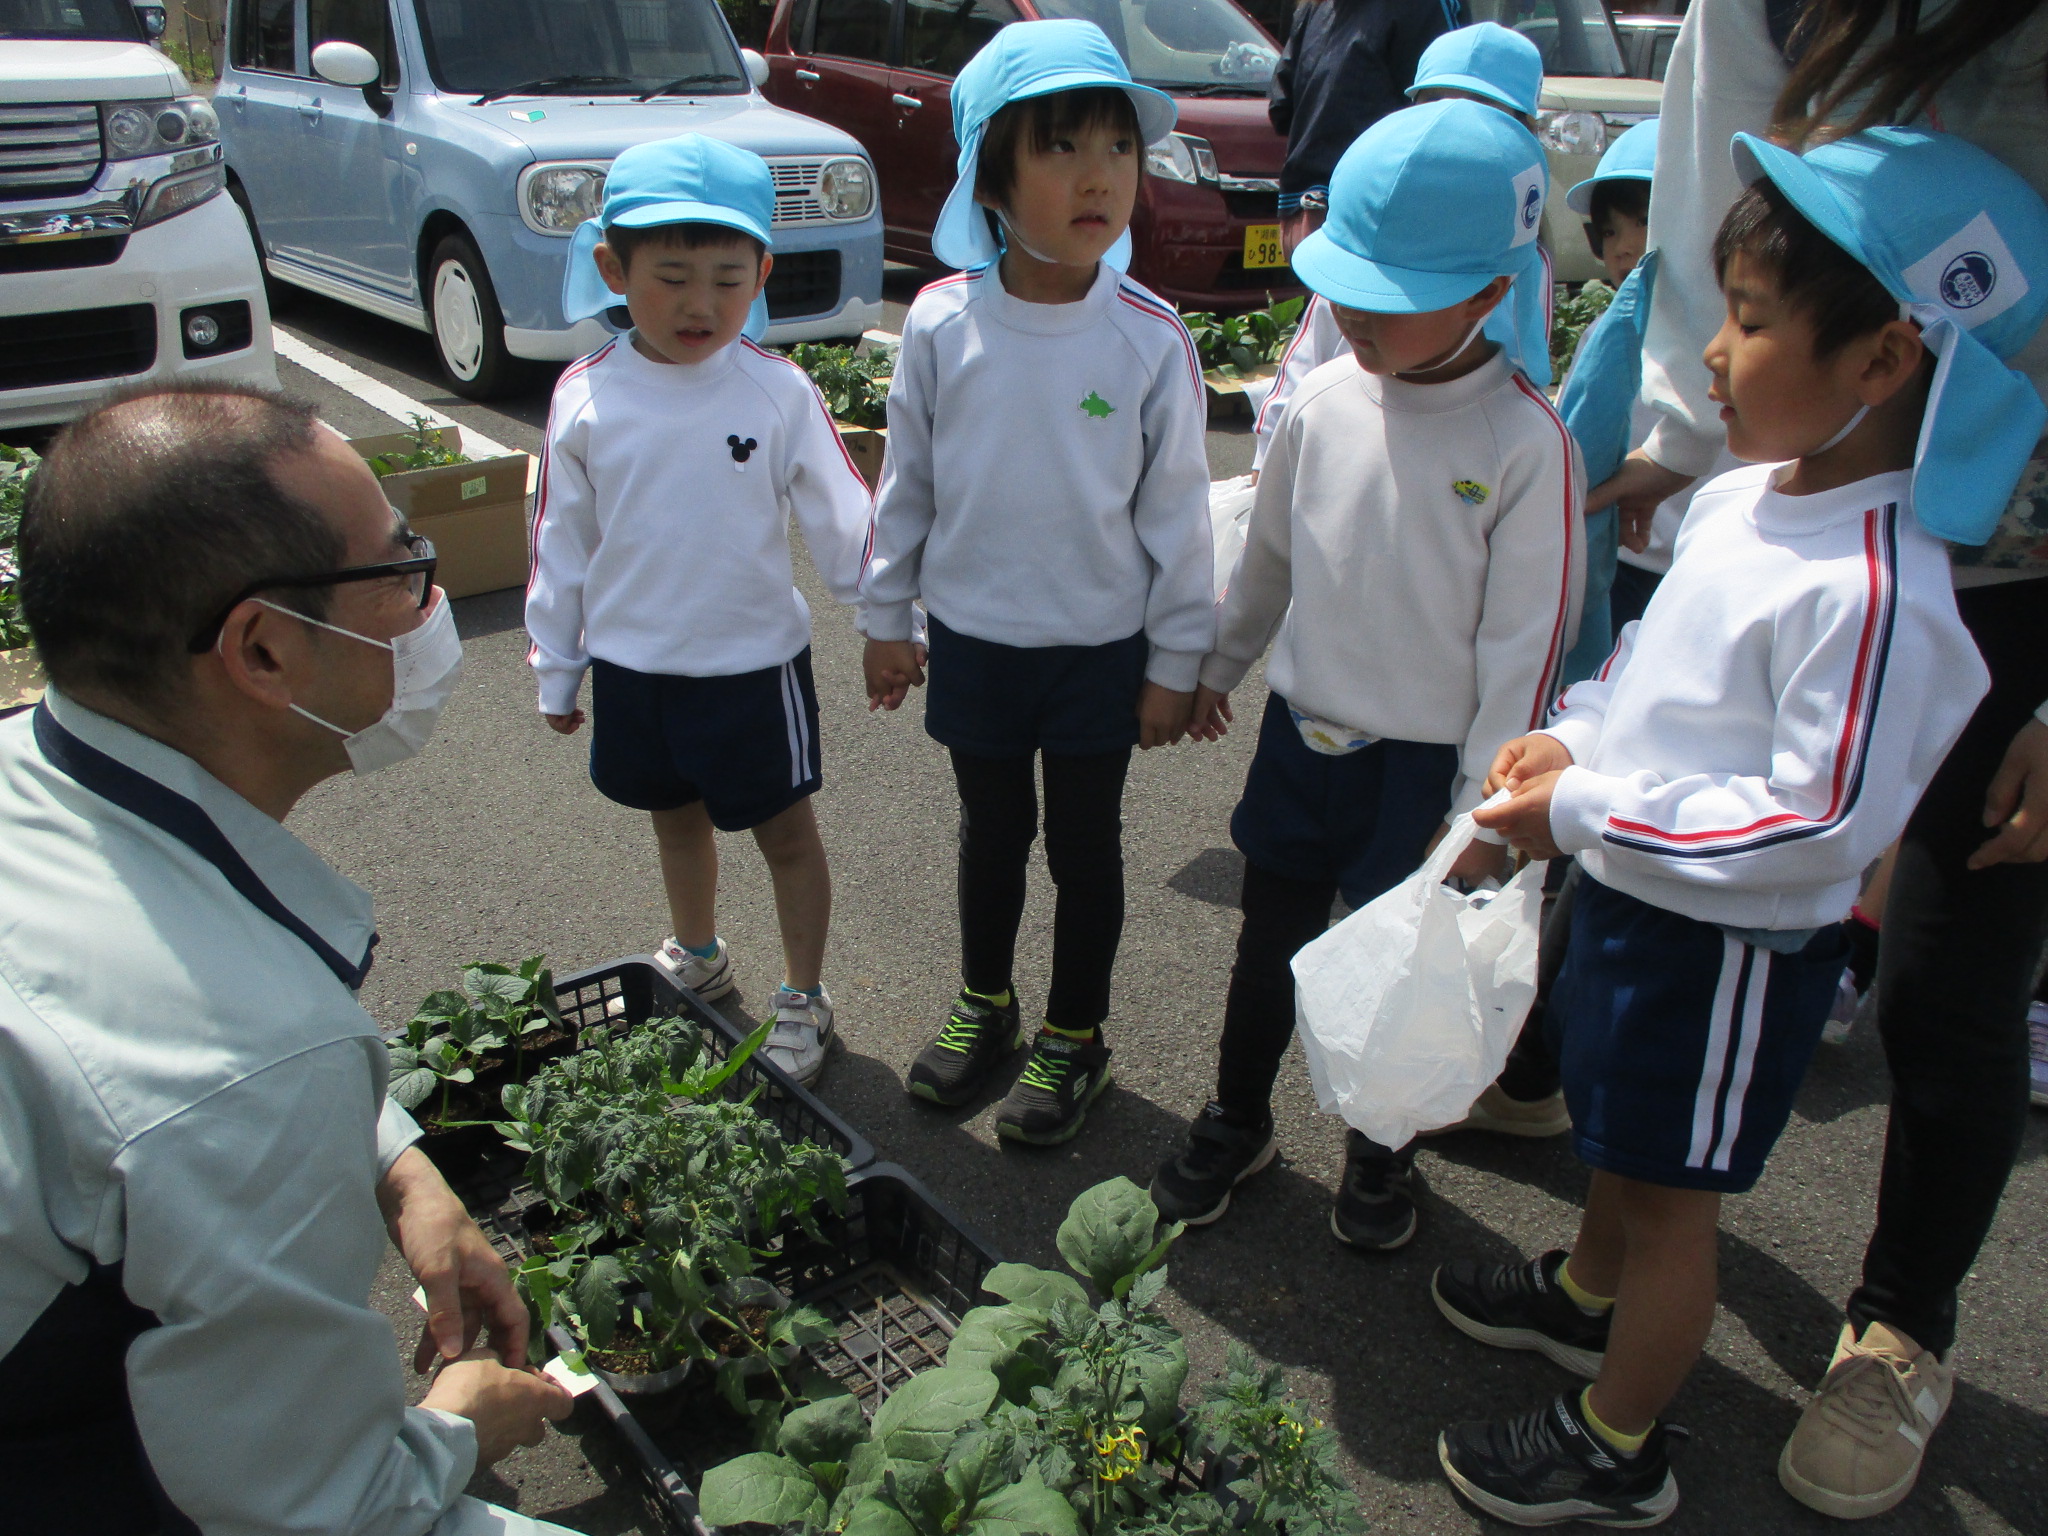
1046,497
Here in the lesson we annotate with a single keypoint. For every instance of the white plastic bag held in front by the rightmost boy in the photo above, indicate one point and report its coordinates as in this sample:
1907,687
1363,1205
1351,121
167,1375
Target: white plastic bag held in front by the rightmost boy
1408,1009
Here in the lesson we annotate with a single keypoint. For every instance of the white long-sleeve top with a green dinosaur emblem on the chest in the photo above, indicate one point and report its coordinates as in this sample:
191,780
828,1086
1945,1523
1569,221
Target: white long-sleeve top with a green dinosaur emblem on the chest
1048,476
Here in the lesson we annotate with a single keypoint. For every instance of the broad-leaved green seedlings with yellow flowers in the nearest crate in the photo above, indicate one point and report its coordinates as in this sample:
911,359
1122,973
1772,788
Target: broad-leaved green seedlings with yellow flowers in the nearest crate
1056,1414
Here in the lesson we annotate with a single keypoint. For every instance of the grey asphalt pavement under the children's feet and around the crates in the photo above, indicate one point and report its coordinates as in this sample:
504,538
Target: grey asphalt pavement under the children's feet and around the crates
497,847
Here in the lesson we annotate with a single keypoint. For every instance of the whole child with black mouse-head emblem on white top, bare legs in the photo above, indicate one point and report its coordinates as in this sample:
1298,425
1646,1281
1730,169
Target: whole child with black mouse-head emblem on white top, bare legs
663,566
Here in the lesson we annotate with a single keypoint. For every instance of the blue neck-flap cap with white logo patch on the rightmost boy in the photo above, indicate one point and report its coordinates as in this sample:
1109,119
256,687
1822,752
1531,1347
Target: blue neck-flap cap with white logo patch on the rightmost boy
1963,243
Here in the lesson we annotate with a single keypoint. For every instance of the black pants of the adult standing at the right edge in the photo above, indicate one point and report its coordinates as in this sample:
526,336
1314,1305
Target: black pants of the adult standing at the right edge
1955,974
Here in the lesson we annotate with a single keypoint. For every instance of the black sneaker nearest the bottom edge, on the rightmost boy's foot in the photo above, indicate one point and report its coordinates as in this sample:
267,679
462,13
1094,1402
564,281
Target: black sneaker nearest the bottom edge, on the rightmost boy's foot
1549,1465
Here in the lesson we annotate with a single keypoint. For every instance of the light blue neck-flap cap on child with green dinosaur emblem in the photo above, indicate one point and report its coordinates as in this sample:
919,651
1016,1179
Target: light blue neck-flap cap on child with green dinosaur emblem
1031,58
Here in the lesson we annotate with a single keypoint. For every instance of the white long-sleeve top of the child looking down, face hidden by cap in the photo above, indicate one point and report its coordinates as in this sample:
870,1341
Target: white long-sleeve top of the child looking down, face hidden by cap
1420,552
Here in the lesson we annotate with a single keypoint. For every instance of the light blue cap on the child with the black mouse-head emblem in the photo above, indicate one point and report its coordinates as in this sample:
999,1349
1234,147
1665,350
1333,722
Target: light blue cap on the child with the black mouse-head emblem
689,179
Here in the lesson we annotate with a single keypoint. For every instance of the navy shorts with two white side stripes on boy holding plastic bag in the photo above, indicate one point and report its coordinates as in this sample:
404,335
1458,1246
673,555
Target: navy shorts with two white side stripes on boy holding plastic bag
1682,1048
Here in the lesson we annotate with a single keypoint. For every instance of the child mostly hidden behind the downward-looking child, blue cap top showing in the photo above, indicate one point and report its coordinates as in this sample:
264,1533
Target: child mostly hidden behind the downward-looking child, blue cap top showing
1494,67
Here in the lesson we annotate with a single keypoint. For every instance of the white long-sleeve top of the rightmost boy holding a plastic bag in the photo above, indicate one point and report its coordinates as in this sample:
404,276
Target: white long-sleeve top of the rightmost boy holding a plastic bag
1768,726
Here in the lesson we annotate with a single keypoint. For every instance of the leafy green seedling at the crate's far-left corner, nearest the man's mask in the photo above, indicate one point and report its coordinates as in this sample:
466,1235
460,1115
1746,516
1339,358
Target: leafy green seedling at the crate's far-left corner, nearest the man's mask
454,1031
